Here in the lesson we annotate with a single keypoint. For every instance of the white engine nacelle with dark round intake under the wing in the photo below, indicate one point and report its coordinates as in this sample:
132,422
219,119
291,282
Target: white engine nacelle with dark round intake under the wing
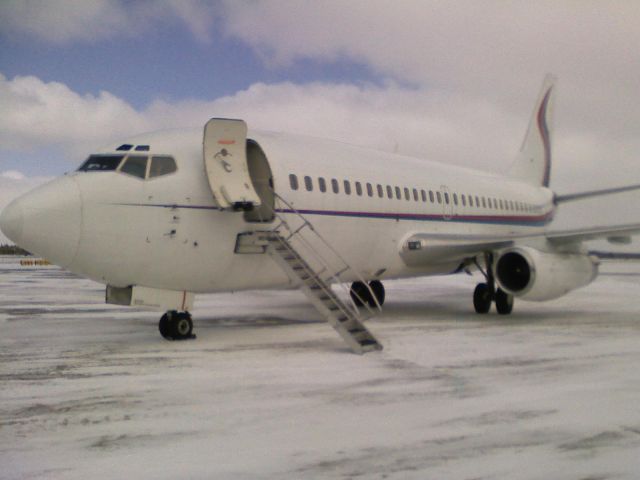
530,274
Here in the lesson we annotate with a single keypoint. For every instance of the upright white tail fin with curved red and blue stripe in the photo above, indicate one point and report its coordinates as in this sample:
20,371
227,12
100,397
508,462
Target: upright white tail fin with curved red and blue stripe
533,163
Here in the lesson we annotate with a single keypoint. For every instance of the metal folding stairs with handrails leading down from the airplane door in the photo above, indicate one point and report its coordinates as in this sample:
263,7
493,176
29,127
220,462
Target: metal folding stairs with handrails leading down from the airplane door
314,274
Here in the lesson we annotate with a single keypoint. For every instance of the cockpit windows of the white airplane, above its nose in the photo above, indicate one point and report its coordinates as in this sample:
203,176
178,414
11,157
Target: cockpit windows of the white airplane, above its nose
135,165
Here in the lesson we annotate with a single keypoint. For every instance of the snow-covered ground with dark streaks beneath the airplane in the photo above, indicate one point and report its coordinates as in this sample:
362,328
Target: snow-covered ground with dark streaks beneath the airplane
269,391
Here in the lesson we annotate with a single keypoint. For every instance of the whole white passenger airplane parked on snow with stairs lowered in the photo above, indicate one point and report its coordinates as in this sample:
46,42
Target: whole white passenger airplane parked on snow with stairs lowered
167,215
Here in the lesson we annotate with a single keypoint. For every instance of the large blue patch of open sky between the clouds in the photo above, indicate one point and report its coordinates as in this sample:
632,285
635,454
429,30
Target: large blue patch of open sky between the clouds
167,62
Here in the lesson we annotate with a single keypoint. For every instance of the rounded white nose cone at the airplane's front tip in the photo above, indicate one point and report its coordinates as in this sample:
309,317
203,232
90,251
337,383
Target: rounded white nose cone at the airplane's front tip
46,221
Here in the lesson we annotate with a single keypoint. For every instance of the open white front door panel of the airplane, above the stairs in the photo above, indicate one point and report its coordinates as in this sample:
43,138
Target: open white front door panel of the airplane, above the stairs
225,161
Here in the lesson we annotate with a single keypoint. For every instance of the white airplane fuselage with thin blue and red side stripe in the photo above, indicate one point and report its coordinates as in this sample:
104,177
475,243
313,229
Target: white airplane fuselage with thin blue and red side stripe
169,233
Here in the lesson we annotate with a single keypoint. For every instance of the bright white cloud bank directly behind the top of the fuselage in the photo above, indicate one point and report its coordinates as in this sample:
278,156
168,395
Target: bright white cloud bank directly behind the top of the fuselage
417,122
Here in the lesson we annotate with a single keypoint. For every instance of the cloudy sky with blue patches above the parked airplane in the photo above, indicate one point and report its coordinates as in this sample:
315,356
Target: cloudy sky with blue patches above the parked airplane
453,81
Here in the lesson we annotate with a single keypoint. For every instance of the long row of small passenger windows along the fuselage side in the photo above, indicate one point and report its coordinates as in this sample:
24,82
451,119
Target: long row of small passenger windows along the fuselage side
411,194
